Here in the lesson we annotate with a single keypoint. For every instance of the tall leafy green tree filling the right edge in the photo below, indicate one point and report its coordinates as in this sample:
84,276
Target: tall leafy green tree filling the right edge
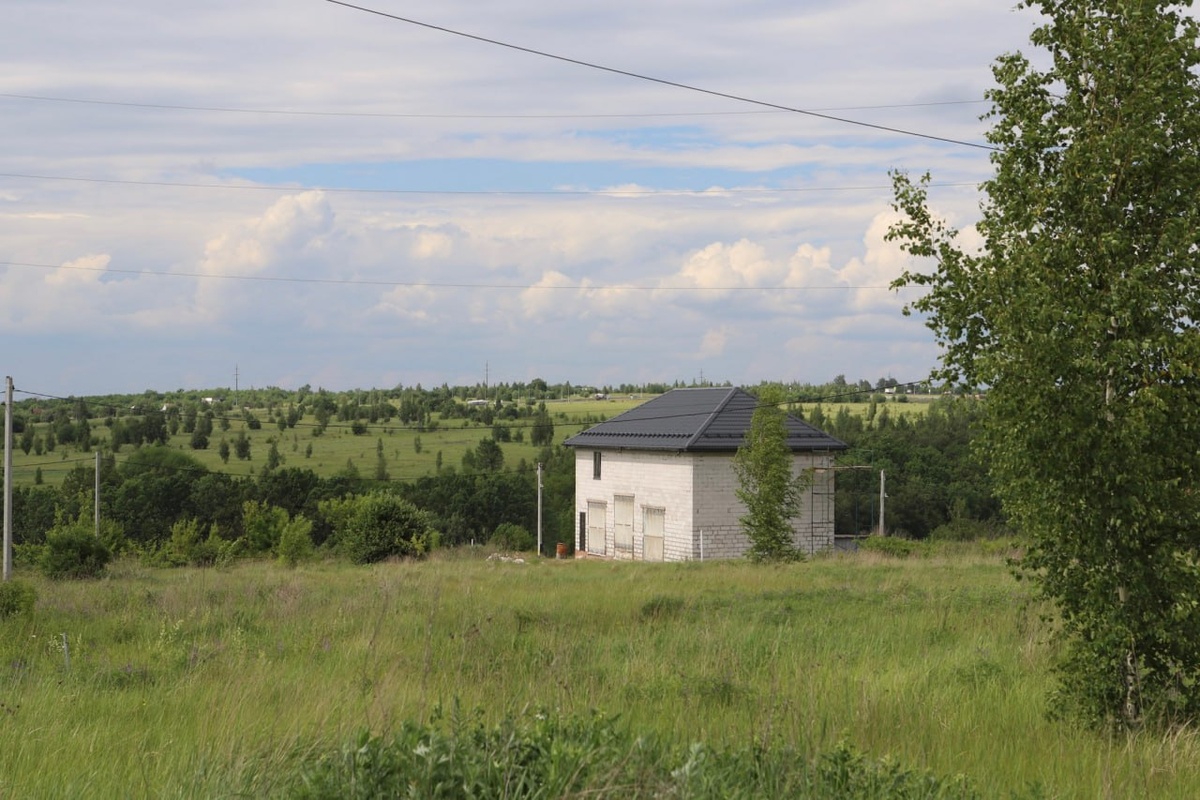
1079,318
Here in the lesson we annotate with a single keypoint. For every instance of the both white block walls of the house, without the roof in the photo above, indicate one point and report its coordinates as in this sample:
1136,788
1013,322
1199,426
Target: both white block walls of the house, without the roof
698,494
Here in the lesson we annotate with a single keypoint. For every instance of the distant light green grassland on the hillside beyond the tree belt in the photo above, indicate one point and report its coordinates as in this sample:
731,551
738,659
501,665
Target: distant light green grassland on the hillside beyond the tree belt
331,452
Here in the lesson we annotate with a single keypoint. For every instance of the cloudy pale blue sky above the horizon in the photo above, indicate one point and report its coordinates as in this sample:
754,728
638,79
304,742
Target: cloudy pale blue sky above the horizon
290,193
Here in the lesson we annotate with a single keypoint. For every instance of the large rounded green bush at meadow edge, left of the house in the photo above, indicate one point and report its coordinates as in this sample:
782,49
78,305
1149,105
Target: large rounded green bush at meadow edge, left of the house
379,526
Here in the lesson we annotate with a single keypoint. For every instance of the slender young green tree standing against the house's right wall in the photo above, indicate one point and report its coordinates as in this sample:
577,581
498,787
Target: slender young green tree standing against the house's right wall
767,485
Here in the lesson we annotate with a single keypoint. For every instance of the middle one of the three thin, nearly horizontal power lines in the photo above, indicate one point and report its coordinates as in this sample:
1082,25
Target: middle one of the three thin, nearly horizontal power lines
611,193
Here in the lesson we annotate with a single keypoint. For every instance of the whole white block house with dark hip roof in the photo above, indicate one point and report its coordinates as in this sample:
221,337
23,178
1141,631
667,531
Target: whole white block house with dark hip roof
657,483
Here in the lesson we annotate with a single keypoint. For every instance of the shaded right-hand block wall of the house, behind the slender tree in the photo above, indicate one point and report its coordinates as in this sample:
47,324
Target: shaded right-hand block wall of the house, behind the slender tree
718,512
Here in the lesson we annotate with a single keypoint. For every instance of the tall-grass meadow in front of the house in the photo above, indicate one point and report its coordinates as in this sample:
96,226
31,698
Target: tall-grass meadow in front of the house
184,683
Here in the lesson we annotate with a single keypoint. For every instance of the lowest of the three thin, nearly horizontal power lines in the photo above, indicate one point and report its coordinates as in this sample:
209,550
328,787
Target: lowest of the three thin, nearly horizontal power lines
418,285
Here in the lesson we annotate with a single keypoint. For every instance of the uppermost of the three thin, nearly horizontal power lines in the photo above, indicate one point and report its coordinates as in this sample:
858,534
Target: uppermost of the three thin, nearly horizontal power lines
283,112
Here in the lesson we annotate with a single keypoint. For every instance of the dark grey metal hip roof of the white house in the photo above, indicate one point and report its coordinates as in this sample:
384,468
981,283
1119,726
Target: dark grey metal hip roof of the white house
694,420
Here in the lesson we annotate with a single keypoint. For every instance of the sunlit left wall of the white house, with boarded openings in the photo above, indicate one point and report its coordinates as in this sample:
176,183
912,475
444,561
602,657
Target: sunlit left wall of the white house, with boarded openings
659,480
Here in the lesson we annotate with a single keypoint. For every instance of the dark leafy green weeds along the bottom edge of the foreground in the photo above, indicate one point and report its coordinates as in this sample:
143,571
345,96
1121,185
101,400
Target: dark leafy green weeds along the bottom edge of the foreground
542,755
